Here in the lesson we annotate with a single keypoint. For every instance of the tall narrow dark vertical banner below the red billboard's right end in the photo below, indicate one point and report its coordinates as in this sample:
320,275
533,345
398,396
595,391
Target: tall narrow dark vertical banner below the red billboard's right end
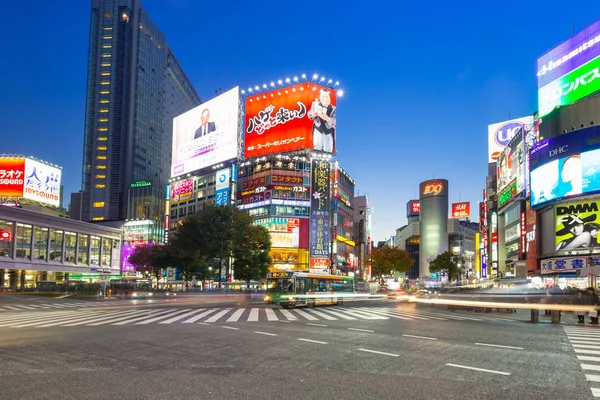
320,209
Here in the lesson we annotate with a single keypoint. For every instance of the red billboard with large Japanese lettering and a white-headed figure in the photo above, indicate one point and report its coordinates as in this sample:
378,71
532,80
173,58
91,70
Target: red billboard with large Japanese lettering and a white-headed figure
301,116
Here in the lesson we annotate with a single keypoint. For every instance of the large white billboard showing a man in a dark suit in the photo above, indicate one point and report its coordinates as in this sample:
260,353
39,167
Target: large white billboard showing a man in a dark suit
206,135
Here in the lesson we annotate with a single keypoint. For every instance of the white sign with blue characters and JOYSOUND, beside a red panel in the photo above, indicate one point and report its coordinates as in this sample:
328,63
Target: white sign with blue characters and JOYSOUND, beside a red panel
42,182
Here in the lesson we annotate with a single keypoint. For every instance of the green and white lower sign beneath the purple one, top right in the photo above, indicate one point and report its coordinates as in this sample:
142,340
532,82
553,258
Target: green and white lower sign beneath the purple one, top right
576,85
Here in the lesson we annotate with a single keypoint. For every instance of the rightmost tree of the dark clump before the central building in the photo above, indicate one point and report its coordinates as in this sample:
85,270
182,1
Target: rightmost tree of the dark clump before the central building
251,259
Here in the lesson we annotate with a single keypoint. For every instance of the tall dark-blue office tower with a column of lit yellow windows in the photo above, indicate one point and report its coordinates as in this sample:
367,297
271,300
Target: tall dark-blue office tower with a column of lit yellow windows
135,88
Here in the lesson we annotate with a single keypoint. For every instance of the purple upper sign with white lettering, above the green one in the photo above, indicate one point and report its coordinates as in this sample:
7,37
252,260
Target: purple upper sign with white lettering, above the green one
574,52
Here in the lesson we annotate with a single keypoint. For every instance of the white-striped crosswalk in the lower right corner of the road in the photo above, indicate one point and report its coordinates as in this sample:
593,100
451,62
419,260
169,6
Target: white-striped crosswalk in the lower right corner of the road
586,344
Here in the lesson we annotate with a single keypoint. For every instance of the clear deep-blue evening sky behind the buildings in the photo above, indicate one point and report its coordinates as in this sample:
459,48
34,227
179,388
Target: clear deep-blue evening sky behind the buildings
422,79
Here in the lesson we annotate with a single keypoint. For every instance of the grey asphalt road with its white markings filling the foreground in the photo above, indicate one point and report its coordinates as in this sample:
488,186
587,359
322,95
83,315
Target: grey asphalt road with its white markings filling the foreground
374,350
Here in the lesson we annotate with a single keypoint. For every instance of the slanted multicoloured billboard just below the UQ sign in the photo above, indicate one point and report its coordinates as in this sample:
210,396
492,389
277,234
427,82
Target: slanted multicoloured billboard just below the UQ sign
510,165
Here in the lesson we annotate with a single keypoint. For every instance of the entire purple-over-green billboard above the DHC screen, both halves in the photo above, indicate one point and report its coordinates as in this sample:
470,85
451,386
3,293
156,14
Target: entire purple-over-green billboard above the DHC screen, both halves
569,71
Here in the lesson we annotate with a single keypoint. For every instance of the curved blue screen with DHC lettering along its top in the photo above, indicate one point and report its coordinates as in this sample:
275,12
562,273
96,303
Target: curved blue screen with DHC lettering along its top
565,166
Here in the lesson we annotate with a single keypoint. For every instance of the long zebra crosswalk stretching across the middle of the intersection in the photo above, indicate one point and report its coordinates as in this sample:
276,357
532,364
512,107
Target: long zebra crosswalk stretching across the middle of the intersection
191,315
